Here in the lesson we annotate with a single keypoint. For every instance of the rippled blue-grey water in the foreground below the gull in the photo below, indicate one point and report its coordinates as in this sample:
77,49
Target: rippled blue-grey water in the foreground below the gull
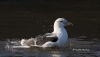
74,48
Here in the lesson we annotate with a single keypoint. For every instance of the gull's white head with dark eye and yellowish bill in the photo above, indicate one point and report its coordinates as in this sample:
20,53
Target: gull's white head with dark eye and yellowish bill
61,22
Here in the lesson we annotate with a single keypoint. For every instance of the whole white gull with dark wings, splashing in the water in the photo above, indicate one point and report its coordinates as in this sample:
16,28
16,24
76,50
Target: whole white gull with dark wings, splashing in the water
57,38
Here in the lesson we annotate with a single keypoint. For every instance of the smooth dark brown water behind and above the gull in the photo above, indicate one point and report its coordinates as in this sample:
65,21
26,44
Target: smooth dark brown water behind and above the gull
29,19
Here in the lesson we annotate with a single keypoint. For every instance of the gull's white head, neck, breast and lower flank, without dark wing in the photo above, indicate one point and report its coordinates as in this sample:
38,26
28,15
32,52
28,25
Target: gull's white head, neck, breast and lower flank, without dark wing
59,32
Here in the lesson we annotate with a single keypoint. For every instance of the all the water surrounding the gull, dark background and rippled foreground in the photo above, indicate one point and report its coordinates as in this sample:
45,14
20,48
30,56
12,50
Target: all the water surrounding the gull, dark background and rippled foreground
29,20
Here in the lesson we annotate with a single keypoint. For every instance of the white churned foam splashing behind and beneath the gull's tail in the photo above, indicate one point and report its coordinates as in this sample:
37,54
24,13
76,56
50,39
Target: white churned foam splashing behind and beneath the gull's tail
15,44
